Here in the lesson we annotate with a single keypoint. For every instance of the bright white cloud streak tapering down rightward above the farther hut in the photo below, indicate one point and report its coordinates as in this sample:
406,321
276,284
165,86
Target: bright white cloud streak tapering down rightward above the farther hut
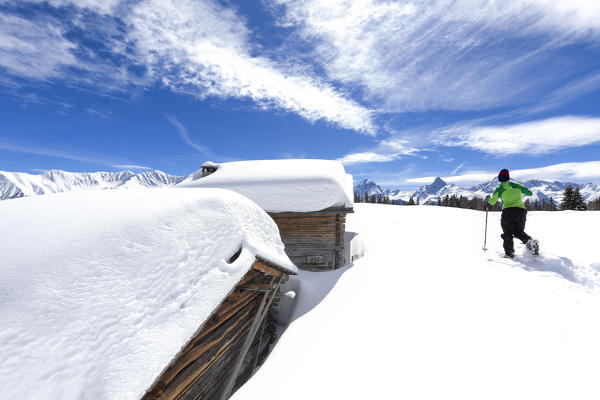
203,49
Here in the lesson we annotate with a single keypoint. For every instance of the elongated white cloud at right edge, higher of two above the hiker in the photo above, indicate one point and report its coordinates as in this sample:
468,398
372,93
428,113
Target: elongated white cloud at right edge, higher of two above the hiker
536,137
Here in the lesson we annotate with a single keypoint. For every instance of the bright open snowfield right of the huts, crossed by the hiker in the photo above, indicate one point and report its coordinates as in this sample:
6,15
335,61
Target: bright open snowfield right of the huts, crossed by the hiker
426,314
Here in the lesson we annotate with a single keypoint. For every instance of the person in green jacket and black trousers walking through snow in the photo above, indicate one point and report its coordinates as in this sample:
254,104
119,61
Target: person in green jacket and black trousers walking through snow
514,213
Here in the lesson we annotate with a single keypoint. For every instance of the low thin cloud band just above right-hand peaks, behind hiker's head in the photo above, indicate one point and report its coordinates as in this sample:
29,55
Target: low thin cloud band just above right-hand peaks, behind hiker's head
570,172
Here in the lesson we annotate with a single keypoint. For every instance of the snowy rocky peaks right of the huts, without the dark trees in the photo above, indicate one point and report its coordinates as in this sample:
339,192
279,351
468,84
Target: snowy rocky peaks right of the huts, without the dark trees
542,190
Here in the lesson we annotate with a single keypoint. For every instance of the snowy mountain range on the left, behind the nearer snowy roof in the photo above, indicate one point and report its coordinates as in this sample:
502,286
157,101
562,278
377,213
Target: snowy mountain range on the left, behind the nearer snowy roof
20,184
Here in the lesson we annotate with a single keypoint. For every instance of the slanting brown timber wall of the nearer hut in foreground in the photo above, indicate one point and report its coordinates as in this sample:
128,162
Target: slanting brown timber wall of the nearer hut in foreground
230,345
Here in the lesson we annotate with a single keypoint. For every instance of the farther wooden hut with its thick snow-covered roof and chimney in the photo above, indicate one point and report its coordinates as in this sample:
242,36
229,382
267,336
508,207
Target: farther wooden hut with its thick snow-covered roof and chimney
307,199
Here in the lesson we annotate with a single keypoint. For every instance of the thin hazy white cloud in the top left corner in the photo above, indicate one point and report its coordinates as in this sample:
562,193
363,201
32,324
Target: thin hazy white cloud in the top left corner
41,47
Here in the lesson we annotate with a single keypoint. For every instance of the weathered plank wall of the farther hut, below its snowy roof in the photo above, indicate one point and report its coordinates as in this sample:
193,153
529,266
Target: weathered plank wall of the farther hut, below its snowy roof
314,240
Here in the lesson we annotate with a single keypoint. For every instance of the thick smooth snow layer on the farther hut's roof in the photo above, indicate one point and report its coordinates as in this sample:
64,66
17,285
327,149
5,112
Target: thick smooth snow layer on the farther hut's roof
283,185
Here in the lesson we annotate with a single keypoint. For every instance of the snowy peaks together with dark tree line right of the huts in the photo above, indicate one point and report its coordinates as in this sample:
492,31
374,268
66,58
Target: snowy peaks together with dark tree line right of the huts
547,196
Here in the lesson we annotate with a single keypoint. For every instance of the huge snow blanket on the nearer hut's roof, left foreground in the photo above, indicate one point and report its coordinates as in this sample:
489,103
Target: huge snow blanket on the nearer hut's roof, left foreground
100,290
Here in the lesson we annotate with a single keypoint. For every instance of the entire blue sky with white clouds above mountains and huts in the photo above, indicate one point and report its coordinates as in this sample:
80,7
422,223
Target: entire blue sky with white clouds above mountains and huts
399,91
